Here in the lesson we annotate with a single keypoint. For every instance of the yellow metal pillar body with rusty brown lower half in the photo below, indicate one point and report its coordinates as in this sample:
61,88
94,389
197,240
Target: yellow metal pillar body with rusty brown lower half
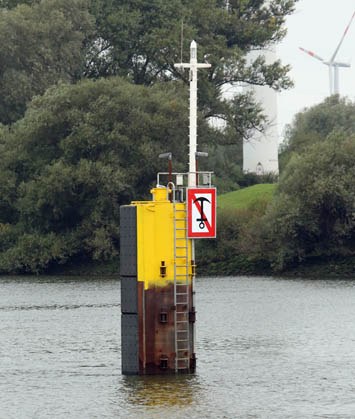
165,273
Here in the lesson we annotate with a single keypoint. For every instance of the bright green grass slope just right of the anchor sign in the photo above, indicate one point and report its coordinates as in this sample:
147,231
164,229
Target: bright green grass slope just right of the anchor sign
243,198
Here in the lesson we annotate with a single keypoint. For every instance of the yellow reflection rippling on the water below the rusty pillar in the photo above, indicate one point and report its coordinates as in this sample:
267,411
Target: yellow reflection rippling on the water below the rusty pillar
166,390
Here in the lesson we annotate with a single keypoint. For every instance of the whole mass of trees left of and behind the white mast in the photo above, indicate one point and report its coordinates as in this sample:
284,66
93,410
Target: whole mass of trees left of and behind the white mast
89,98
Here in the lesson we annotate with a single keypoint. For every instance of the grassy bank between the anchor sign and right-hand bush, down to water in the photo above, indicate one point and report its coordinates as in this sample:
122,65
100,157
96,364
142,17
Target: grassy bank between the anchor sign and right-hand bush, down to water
239,214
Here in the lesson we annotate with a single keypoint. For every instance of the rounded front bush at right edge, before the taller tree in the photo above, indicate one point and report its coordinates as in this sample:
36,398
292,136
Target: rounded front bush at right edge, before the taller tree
312,214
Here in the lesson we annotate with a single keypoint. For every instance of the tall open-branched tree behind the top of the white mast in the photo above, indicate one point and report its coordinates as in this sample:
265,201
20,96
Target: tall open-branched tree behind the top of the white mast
142,40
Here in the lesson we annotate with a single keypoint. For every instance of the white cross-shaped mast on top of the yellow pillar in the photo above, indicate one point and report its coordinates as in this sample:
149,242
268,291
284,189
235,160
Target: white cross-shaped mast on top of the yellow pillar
193,65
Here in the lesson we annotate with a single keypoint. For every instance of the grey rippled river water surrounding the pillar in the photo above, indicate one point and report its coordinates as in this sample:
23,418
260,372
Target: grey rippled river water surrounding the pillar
266,348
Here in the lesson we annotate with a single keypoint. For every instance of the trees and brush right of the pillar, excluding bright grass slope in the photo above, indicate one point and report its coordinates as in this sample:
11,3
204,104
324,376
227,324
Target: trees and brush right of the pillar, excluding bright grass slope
311,217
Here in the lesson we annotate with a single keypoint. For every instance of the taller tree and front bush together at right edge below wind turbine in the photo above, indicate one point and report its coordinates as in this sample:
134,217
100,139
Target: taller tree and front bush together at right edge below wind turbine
312,215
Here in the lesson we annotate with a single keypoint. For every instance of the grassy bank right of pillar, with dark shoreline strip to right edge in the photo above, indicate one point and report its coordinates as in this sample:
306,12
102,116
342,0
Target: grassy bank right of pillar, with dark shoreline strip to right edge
233,251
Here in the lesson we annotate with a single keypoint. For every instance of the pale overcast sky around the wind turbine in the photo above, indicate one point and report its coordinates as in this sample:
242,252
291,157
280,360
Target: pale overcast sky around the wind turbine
317,25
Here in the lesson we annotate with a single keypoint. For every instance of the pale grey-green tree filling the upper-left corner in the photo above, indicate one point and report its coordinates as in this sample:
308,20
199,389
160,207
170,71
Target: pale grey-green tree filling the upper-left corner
39,45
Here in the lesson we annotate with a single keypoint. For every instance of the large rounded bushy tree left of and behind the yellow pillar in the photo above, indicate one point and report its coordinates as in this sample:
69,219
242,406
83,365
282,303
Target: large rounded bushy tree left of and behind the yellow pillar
80,151
